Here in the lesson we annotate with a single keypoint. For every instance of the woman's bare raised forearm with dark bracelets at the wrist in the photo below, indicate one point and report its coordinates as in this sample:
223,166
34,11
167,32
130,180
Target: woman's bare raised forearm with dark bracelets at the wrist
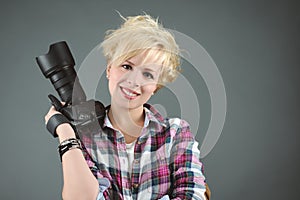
79,182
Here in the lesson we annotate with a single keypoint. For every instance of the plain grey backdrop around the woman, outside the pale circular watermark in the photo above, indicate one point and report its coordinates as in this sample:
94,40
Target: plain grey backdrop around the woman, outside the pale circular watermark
255,45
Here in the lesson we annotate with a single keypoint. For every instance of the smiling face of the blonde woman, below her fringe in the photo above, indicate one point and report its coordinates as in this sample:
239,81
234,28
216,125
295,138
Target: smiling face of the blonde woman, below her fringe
132,83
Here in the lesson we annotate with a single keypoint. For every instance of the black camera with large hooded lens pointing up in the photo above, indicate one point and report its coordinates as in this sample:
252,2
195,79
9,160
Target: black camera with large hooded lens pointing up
58,66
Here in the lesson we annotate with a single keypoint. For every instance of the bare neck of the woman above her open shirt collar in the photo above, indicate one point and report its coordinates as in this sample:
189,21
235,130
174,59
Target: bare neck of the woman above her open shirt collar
129,121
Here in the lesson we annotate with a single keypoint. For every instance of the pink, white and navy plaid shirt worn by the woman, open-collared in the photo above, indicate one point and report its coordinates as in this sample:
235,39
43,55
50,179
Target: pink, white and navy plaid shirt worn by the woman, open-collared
166,161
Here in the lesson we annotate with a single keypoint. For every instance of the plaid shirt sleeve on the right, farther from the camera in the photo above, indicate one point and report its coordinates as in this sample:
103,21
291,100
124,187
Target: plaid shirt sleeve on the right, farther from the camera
187,174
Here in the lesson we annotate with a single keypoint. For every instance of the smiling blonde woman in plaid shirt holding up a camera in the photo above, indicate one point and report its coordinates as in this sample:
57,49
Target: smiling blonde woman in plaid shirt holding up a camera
137,154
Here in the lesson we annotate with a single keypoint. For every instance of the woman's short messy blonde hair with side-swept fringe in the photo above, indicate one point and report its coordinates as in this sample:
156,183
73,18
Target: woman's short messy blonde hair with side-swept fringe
139,34
